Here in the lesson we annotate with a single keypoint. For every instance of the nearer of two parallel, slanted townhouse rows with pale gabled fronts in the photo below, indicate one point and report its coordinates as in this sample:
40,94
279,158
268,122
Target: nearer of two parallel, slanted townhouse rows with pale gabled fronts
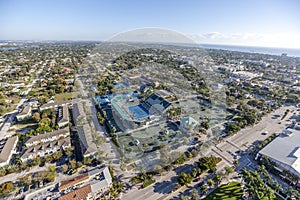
44,149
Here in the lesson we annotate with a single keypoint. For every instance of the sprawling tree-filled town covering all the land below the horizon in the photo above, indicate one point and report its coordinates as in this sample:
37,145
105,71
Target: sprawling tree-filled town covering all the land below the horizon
149,122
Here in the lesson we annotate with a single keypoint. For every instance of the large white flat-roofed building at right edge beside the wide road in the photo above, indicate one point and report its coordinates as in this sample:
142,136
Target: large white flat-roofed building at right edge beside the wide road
287,156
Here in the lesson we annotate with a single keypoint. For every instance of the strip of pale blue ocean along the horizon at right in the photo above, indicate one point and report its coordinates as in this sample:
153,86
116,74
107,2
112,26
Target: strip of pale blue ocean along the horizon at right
251,49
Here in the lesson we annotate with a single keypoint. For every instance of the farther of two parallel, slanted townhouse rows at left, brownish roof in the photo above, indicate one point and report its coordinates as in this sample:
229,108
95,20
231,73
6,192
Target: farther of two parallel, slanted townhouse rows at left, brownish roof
47,137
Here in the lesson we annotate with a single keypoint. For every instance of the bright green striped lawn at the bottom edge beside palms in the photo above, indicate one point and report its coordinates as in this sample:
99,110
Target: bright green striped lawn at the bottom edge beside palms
232,191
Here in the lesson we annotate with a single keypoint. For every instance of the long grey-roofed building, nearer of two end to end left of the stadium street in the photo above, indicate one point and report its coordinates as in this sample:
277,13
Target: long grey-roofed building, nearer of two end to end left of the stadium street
88,147
